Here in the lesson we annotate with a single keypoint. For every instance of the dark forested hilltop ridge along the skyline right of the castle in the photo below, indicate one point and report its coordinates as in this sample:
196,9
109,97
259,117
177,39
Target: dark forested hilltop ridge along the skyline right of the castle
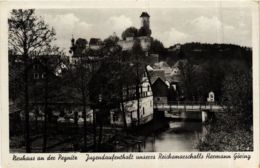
199,53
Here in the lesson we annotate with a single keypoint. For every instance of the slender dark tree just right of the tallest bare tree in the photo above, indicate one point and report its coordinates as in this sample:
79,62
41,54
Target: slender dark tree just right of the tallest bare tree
52,60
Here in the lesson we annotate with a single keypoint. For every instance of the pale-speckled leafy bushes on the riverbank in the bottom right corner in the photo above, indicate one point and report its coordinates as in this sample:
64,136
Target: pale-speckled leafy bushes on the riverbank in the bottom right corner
225,134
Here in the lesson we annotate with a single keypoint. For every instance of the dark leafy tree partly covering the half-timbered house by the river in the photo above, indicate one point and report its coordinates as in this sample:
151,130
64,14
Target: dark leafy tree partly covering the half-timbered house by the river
115,75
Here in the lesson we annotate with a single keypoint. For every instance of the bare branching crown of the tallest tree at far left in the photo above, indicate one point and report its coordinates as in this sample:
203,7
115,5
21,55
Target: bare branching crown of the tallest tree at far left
28,33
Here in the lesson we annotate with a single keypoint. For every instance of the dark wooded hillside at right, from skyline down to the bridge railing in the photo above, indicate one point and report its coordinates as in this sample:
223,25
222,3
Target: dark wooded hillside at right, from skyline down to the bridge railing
215,63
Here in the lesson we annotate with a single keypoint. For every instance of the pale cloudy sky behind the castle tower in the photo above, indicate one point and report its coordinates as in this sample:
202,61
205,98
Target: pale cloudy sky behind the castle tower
169,25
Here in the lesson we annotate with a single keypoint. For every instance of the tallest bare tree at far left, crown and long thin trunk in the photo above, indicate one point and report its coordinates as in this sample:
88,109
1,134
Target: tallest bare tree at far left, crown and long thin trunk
28,34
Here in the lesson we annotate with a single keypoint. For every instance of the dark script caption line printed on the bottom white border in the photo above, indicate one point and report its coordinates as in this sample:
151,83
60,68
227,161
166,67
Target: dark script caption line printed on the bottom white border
130,156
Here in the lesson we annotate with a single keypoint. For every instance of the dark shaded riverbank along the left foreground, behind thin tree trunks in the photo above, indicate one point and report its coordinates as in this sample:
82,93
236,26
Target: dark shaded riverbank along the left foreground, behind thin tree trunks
65,137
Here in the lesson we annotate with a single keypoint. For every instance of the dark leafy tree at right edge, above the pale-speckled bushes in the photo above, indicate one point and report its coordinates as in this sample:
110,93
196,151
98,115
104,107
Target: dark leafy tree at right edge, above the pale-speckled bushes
238,97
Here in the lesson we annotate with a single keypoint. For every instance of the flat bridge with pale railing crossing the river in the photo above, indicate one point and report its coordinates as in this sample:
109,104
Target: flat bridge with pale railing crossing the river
189,106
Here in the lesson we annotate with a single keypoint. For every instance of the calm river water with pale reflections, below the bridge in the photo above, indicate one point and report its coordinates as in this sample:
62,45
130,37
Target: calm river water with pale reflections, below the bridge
179,137
